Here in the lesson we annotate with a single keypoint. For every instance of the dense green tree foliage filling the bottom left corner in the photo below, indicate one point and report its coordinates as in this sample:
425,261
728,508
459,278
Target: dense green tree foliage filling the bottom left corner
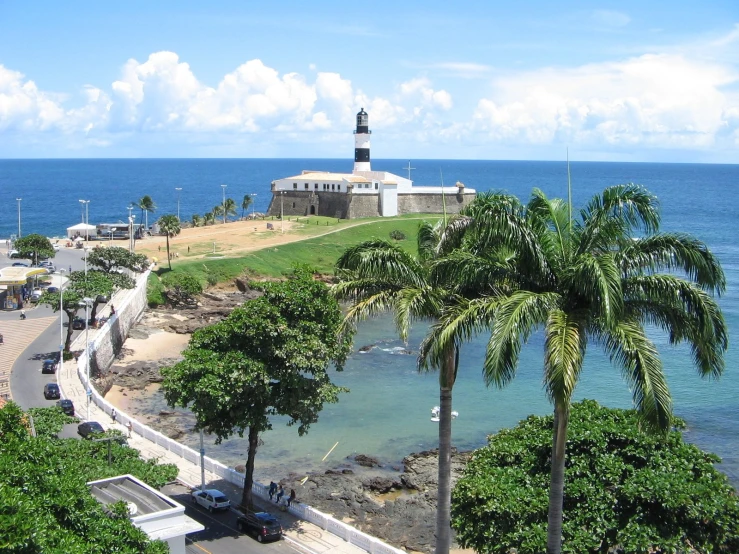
46,505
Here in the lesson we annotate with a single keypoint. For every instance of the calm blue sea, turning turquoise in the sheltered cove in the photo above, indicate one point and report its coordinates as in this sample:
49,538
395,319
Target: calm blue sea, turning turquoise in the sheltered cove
387,412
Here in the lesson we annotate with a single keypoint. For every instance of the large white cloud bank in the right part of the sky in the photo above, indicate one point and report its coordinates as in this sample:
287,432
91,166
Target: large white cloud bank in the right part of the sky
652,100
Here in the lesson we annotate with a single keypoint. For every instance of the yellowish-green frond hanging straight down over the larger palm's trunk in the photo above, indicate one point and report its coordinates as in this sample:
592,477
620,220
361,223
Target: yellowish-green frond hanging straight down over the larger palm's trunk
564,351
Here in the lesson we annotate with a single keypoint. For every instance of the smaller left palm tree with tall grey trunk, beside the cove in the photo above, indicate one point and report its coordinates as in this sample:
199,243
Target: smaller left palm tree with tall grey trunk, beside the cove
378,276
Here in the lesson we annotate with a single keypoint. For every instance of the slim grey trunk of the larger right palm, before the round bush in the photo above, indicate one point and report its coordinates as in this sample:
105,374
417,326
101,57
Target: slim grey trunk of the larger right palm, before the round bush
556,487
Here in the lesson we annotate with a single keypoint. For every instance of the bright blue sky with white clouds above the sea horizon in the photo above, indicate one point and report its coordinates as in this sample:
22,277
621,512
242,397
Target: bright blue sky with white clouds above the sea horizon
631,81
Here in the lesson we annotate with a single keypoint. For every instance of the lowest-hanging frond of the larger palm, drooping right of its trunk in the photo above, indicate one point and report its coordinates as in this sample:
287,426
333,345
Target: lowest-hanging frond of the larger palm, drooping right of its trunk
629,348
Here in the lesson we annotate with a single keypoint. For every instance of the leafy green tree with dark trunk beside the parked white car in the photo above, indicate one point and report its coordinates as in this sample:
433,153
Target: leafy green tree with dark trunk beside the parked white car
268,357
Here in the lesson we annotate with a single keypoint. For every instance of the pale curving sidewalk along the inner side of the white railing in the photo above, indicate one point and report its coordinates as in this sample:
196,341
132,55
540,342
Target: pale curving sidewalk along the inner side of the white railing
303,535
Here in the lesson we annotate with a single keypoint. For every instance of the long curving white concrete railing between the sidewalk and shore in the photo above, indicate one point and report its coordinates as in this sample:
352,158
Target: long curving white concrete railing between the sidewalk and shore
129,308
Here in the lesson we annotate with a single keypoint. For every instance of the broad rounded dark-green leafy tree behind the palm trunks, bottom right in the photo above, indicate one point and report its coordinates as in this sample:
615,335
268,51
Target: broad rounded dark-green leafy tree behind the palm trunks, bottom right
627,489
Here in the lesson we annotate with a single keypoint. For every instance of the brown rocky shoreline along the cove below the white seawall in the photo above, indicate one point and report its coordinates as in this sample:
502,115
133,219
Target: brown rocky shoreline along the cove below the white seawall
395,504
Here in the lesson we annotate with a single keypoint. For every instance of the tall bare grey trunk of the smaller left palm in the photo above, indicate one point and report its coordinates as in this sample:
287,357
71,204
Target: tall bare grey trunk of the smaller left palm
443,501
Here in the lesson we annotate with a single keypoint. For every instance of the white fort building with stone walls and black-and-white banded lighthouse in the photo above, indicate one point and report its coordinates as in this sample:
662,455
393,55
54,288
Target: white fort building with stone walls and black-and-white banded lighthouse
363,192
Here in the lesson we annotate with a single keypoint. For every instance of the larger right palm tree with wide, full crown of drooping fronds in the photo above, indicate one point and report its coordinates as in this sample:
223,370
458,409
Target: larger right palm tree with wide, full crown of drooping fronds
600,278
